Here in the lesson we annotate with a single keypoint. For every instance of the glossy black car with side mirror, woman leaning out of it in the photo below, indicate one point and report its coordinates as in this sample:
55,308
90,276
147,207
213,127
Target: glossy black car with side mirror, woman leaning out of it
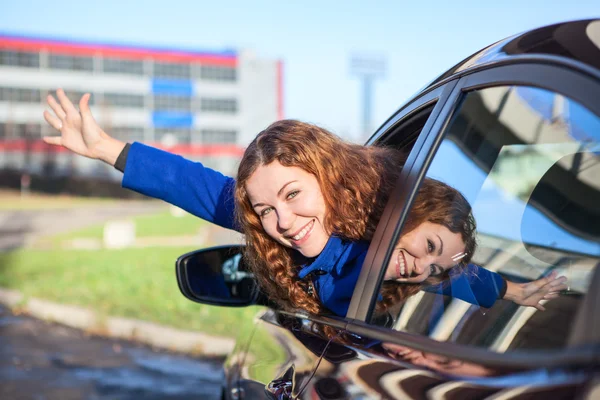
516,129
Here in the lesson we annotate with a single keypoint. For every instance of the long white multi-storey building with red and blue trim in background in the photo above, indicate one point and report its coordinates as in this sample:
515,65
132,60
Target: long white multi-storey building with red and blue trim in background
205,105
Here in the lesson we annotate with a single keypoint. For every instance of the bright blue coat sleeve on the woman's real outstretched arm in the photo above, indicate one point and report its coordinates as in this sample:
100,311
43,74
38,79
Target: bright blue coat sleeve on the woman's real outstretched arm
201,191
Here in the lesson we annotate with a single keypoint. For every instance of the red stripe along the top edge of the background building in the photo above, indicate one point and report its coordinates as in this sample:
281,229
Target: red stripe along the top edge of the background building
76,49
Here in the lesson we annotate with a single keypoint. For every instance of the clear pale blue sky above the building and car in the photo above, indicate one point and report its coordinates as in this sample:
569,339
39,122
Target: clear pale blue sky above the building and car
314,39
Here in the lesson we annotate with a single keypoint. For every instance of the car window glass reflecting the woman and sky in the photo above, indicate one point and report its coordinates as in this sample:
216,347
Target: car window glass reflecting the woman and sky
526,160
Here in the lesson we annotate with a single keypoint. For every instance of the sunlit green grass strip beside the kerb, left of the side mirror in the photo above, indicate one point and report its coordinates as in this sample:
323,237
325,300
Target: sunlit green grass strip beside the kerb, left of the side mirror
133,283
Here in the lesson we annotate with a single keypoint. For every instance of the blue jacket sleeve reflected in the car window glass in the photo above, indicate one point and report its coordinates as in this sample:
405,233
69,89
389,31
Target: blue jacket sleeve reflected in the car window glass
475,285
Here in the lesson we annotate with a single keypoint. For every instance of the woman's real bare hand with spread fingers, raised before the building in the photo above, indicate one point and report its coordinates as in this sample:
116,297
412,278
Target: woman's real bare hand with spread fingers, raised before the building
79,131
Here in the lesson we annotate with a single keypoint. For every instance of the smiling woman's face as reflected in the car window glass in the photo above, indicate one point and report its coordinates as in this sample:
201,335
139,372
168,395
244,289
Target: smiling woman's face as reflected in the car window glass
428,250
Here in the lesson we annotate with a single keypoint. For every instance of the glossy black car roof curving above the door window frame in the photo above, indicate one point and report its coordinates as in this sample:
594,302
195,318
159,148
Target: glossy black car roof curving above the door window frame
574,42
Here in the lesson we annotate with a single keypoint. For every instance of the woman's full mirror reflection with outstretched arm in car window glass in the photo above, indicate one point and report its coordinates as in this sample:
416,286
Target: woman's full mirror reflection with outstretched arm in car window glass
438,241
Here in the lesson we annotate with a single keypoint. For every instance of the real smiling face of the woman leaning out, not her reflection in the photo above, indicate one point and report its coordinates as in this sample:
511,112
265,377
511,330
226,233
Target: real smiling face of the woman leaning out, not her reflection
290,205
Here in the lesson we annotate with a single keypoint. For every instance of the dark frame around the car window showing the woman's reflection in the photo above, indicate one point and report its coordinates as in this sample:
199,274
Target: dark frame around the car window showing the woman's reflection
565,80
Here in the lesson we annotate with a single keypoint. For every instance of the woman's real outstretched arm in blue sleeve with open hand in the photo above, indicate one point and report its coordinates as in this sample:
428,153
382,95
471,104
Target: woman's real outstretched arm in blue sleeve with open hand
199,190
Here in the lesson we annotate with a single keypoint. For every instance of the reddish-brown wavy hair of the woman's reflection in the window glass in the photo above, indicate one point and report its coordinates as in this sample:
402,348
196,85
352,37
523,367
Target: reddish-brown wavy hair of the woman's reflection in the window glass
438,203
